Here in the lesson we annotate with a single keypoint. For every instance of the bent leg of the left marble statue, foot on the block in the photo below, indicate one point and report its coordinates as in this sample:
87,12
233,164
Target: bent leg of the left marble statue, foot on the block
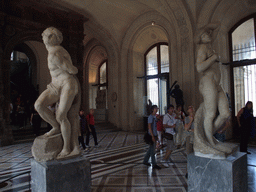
41,105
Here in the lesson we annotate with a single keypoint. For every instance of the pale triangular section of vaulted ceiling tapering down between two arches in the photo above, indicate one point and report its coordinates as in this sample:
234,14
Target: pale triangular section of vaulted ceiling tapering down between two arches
113,15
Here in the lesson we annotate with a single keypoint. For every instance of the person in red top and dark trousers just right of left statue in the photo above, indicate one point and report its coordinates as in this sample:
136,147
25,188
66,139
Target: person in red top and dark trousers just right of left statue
90,120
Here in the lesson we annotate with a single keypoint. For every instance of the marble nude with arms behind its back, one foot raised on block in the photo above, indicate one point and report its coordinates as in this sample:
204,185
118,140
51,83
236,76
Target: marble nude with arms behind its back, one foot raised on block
63,89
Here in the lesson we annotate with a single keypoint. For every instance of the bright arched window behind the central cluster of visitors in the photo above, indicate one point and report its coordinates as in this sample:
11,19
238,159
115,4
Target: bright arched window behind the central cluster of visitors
157,75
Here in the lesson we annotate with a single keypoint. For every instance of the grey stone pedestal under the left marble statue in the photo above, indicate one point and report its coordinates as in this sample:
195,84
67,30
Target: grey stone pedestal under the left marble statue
61,176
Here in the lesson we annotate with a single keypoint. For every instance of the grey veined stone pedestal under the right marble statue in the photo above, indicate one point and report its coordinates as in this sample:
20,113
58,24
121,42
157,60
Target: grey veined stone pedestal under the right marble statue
217,175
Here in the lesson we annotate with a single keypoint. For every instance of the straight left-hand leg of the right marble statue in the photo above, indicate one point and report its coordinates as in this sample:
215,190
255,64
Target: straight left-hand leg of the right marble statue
209,93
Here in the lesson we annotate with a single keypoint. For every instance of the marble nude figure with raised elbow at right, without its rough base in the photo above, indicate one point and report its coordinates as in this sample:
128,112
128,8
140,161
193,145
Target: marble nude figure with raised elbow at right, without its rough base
208,64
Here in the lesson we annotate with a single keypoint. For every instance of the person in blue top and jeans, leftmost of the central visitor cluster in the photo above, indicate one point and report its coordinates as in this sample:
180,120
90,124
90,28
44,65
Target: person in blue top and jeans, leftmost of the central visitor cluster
152,131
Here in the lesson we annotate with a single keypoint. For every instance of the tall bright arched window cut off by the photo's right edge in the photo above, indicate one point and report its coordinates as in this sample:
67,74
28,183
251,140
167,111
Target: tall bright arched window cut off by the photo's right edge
243,65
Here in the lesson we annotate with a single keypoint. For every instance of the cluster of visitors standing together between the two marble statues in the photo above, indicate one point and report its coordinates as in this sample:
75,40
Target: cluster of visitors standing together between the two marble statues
175,127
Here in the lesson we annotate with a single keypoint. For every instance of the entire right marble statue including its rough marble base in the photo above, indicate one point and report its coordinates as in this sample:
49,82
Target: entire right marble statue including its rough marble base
215,100
